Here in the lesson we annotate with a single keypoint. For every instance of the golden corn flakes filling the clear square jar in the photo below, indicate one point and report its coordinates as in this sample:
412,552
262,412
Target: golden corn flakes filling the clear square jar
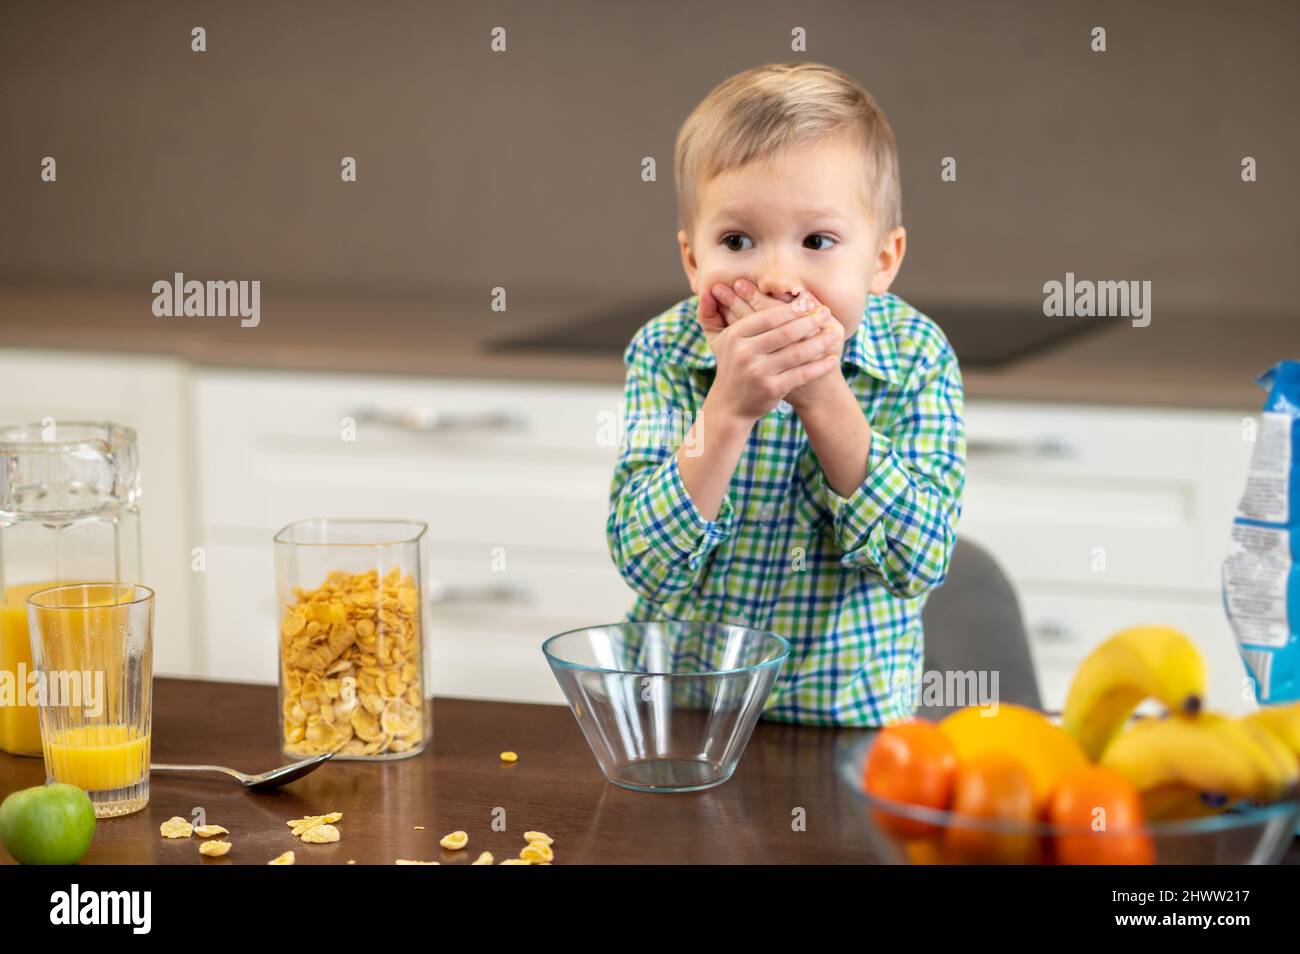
350,667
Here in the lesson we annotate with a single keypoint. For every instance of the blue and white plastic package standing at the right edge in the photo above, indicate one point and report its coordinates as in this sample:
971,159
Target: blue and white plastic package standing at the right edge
1262,574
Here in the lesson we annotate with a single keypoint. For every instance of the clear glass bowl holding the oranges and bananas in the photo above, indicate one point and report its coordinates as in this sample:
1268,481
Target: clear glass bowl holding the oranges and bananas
1245,834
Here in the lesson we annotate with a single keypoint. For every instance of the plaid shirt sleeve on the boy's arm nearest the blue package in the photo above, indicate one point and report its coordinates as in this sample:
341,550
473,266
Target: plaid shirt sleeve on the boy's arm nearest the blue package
902,522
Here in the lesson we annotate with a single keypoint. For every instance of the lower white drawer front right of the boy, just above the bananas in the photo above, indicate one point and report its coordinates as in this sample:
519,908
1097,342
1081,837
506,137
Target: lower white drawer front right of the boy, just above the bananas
1064,628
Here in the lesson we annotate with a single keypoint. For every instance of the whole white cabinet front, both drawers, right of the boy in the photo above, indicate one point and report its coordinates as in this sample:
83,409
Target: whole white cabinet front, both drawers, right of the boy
1110,518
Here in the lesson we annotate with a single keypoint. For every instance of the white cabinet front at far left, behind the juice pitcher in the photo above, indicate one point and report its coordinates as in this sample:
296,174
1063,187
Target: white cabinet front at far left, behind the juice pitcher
151,396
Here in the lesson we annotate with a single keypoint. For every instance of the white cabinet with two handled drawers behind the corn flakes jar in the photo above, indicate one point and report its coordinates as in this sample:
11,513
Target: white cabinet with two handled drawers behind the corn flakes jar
512,479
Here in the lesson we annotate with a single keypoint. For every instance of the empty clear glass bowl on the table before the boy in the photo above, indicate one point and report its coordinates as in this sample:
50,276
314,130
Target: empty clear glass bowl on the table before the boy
668,705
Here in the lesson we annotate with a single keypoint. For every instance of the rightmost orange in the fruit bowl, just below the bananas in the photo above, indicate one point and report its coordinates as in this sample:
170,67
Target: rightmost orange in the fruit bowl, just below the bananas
1104,801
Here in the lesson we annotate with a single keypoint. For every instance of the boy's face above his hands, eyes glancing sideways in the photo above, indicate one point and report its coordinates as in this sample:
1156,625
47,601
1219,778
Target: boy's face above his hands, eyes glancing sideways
799,219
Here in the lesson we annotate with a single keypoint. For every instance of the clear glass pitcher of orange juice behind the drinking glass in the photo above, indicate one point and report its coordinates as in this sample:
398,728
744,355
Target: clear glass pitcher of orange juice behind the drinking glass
70,513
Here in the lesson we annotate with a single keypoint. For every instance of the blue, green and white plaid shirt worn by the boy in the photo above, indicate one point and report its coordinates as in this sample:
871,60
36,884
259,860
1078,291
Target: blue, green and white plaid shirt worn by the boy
844,580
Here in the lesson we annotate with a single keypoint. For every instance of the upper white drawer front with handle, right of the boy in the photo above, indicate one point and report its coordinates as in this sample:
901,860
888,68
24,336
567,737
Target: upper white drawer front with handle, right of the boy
1099,497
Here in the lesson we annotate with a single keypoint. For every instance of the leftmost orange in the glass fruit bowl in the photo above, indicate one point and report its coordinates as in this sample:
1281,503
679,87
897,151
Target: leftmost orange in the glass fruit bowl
911,762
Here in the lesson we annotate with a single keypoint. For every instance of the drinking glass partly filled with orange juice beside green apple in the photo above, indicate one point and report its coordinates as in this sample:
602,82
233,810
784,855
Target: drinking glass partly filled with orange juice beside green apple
93,648
